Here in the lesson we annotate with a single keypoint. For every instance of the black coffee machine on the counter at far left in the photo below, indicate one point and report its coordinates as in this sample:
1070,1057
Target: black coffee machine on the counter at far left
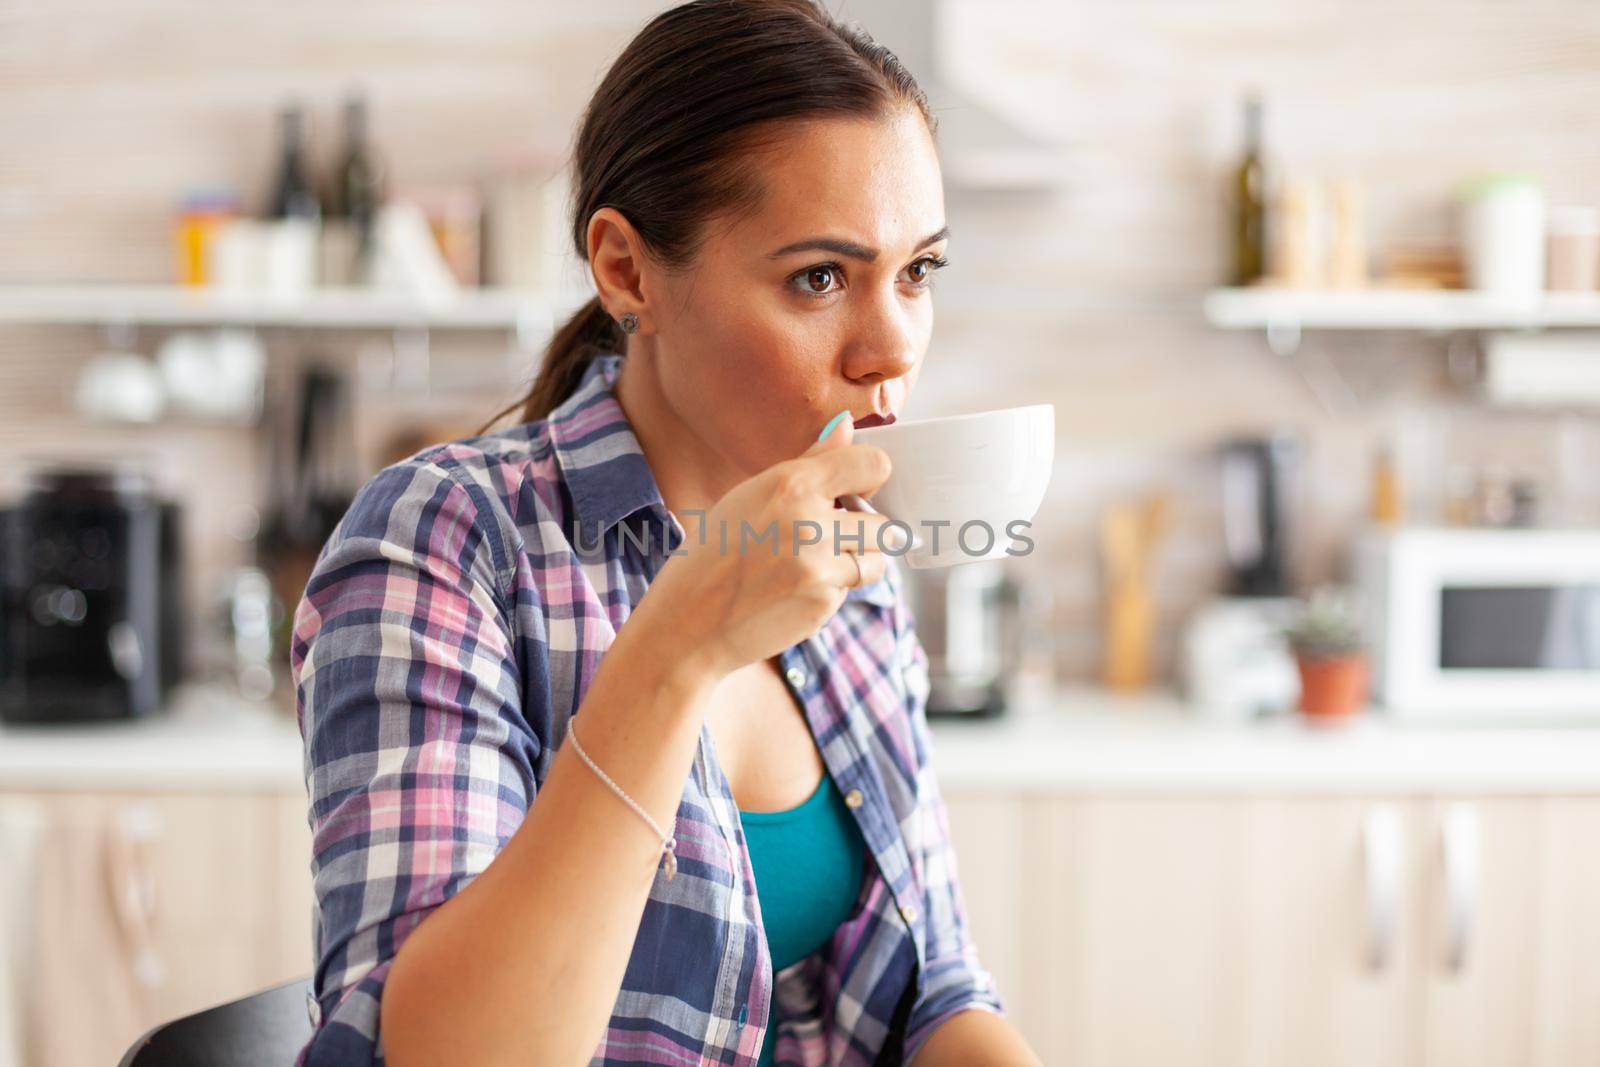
90,599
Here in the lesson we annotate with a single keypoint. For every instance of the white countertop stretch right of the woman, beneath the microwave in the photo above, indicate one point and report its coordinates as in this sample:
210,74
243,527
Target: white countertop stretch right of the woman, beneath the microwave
1090,740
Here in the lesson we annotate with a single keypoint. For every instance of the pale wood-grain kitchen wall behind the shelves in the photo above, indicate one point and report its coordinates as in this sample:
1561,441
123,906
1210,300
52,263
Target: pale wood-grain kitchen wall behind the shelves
1087,298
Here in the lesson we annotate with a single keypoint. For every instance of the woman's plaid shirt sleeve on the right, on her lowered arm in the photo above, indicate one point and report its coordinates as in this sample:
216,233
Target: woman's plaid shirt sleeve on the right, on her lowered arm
953,980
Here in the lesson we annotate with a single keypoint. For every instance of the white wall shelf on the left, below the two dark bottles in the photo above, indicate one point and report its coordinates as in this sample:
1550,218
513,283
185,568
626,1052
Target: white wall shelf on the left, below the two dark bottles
526,311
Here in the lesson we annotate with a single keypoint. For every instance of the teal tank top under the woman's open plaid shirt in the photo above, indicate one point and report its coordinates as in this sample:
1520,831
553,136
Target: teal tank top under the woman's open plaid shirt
809,863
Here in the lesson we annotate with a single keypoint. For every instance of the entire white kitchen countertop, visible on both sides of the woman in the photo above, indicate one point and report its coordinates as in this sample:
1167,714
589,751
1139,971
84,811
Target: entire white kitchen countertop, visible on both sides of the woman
1057,740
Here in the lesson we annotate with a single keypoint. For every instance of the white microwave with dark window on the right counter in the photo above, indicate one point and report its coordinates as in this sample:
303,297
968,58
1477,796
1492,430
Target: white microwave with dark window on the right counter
1484,623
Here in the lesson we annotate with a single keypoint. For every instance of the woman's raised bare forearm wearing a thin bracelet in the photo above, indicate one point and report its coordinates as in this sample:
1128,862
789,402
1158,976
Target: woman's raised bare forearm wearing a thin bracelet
527,961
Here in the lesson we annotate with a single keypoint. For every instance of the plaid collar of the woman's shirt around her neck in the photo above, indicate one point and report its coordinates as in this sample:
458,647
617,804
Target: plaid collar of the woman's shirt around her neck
606,468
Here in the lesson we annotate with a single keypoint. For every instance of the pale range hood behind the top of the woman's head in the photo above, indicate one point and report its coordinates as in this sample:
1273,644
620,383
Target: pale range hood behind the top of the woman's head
978,148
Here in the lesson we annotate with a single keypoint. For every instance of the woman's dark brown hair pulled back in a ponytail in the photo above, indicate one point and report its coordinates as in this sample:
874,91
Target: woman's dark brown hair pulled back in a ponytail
670,137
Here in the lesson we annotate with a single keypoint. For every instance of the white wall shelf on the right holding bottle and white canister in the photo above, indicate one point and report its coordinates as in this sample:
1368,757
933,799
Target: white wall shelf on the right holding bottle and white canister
1434,311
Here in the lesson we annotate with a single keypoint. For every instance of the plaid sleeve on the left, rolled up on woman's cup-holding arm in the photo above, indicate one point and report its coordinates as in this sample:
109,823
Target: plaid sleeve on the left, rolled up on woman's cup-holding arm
418,757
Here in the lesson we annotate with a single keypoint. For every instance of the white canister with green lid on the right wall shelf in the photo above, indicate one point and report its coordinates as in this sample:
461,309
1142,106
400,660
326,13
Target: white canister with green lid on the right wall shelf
1505,234
